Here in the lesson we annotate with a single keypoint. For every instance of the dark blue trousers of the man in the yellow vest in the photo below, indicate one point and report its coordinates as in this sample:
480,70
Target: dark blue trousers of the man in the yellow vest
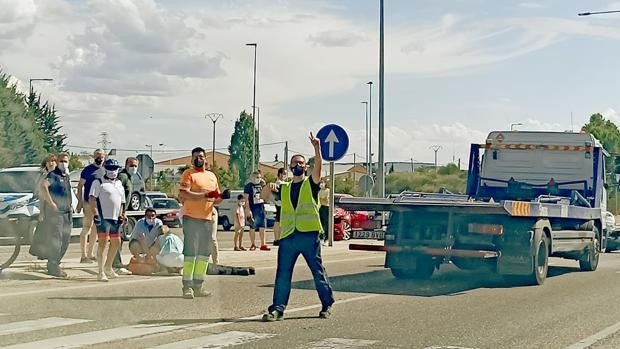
308,245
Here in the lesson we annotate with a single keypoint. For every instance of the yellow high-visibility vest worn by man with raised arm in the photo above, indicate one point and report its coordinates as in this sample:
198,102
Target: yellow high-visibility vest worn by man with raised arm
305,217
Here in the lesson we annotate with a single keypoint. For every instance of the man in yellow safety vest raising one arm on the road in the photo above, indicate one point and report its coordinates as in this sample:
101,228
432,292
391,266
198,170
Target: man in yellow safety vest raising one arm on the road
299,234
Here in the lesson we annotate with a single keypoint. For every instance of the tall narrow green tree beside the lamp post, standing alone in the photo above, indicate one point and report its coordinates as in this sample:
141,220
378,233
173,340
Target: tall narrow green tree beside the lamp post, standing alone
240,148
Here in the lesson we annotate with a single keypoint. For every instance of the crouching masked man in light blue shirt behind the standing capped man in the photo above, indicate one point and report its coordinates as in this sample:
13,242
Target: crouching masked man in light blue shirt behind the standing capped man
143,239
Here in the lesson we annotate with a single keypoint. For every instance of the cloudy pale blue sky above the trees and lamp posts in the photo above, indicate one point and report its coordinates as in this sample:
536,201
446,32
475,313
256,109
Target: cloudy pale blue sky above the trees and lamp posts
147,72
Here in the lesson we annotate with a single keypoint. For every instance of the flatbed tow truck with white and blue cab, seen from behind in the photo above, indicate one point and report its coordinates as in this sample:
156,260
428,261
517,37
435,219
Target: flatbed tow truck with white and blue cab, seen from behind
529,196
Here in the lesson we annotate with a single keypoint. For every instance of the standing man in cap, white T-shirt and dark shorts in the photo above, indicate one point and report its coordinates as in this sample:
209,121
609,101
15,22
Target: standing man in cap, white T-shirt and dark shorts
107,200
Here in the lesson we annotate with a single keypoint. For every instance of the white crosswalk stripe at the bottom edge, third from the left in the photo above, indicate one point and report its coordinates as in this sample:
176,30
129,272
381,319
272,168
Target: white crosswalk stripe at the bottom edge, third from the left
221,340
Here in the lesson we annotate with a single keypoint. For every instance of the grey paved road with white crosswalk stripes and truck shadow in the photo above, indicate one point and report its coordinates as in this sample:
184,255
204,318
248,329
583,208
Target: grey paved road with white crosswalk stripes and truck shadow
455,309
